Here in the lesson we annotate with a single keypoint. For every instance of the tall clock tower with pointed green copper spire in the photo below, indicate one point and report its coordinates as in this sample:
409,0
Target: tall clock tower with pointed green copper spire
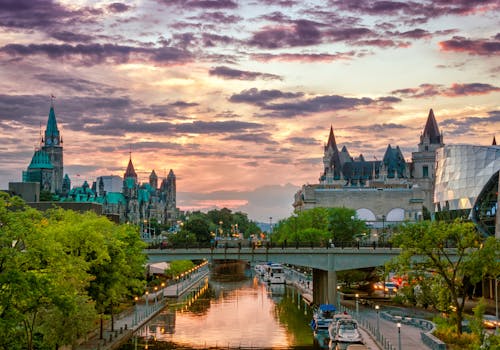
52,145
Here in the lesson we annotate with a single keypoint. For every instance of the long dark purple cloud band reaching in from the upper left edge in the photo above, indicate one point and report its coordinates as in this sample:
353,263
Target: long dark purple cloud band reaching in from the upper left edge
93,54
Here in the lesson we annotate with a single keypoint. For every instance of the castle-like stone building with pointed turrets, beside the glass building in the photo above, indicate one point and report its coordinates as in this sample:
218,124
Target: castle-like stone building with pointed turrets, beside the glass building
382,192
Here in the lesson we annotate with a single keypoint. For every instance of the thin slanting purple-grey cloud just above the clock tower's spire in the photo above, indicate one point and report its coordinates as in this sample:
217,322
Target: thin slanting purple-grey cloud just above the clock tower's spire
59,81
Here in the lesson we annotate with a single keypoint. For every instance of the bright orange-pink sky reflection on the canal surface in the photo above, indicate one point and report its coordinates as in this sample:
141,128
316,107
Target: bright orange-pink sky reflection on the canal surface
242,312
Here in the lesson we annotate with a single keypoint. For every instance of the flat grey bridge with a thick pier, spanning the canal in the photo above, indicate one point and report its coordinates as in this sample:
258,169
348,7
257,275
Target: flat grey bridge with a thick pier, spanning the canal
325,262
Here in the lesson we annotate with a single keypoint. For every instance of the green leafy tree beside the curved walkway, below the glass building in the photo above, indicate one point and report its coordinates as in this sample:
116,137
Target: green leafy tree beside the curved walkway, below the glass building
426,252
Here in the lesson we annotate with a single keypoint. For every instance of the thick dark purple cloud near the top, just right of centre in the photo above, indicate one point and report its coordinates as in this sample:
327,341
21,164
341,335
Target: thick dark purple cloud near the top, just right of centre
301,33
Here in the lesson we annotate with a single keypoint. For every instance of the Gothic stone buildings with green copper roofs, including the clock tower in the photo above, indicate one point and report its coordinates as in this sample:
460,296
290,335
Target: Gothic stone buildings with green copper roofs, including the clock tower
124,199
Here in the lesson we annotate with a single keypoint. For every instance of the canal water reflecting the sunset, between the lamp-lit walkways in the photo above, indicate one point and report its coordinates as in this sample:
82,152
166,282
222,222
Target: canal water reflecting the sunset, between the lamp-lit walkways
230,311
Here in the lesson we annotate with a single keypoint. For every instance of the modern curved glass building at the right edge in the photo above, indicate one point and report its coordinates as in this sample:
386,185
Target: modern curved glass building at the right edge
467,184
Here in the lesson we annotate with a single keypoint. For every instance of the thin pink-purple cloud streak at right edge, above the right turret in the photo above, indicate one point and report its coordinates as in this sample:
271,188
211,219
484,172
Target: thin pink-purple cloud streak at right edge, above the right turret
429,90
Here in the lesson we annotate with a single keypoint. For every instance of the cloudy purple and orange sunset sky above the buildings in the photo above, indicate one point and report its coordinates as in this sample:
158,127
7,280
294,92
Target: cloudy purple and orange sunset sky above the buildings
238,97
